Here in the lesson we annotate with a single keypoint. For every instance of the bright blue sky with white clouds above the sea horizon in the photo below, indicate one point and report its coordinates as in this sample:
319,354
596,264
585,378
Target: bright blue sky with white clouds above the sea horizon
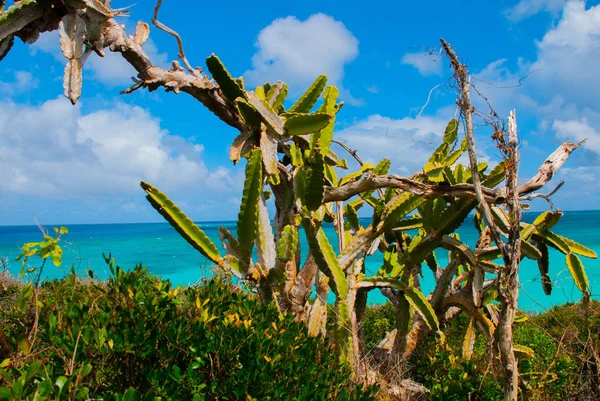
64,164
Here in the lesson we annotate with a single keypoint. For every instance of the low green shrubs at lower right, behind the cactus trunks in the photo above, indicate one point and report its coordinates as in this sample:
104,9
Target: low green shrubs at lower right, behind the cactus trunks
564,341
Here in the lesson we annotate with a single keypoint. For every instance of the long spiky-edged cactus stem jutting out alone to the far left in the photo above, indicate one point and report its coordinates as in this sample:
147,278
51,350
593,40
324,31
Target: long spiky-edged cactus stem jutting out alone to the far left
183,224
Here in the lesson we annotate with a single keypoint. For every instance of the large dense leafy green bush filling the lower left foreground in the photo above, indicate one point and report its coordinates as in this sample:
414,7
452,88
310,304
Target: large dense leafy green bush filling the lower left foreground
135,334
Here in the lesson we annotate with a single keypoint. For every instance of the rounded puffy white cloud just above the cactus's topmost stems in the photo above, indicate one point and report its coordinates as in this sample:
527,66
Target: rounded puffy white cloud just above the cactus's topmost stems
297,51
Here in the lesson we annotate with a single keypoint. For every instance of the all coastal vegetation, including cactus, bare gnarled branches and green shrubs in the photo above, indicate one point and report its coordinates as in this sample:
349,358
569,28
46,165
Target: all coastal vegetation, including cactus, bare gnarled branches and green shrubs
134,336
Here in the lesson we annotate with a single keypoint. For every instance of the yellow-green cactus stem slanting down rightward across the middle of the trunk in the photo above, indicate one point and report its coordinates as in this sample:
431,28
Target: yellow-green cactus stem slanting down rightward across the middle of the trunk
326,258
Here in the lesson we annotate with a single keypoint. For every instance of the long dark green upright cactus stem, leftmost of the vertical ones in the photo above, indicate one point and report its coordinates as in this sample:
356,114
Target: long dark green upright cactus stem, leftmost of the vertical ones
247,217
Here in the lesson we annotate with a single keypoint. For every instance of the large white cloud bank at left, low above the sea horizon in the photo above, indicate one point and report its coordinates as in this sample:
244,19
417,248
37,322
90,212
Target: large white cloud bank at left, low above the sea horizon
56,150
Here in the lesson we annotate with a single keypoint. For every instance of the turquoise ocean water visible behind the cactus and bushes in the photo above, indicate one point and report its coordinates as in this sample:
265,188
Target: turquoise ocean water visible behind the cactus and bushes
160,249
